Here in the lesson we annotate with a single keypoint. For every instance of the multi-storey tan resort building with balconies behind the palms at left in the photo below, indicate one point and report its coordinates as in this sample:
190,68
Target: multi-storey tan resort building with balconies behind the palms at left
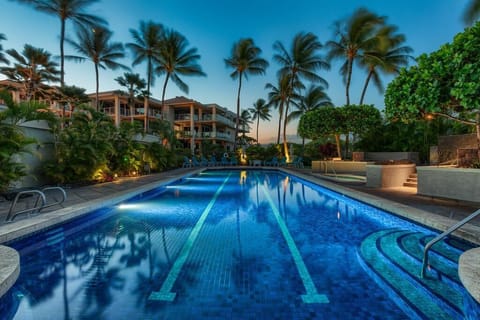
194,123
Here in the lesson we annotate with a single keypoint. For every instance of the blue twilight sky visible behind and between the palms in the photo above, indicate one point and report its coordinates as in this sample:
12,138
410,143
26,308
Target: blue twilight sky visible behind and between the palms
212,26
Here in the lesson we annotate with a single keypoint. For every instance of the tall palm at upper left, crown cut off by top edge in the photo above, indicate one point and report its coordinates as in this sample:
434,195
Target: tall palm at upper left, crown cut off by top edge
67,10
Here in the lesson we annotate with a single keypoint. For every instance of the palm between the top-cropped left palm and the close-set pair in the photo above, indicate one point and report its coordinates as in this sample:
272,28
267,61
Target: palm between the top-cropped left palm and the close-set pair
95,45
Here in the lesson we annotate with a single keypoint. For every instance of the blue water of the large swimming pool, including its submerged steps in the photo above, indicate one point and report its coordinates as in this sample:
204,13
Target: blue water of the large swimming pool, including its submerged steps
237,245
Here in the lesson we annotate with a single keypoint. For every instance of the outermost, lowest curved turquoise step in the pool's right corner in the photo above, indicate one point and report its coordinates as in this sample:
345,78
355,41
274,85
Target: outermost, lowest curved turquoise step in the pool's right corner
414,295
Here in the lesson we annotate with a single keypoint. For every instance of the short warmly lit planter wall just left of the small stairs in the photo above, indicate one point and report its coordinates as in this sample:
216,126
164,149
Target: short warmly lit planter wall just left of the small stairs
389,175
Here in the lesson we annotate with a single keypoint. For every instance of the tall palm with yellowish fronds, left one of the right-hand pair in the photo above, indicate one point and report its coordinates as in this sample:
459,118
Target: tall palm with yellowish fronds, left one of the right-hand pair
354,36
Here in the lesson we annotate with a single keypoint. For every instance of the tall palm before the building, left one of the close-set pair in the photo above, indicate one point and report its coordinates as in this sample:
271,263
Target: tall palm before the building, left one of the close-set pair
145,48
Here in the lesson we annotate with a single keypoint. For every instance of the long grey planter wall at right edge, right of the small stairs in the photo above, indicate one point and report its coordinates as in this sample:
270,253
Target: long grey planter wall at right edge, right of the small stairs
452,183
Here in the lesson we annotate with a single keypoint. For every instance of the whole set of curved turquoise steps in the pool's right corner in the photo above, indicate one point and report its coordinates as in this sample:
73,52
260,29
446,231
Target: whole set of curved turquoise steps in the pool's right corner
394,257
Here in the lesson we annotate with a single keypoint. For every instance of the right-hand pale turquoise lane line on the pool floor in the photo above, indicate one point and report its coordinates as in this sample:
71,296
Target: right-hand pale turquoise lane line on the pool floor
312,295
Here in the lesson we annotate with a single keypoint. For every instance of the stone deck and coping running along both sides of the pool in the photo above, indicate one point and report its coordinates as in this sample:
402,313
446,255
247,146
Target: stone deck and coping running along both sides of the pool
435,213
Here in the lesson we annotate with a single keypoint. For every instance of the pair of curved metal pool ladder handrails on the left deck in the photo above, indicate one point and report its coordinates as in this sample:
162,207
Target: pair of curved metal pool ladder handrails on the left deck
40,202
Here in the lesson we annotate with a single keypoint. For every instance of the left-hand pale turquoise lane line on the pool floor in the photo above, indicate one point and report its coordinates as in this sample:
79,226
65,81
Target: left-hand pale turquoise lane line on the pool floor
165,293
